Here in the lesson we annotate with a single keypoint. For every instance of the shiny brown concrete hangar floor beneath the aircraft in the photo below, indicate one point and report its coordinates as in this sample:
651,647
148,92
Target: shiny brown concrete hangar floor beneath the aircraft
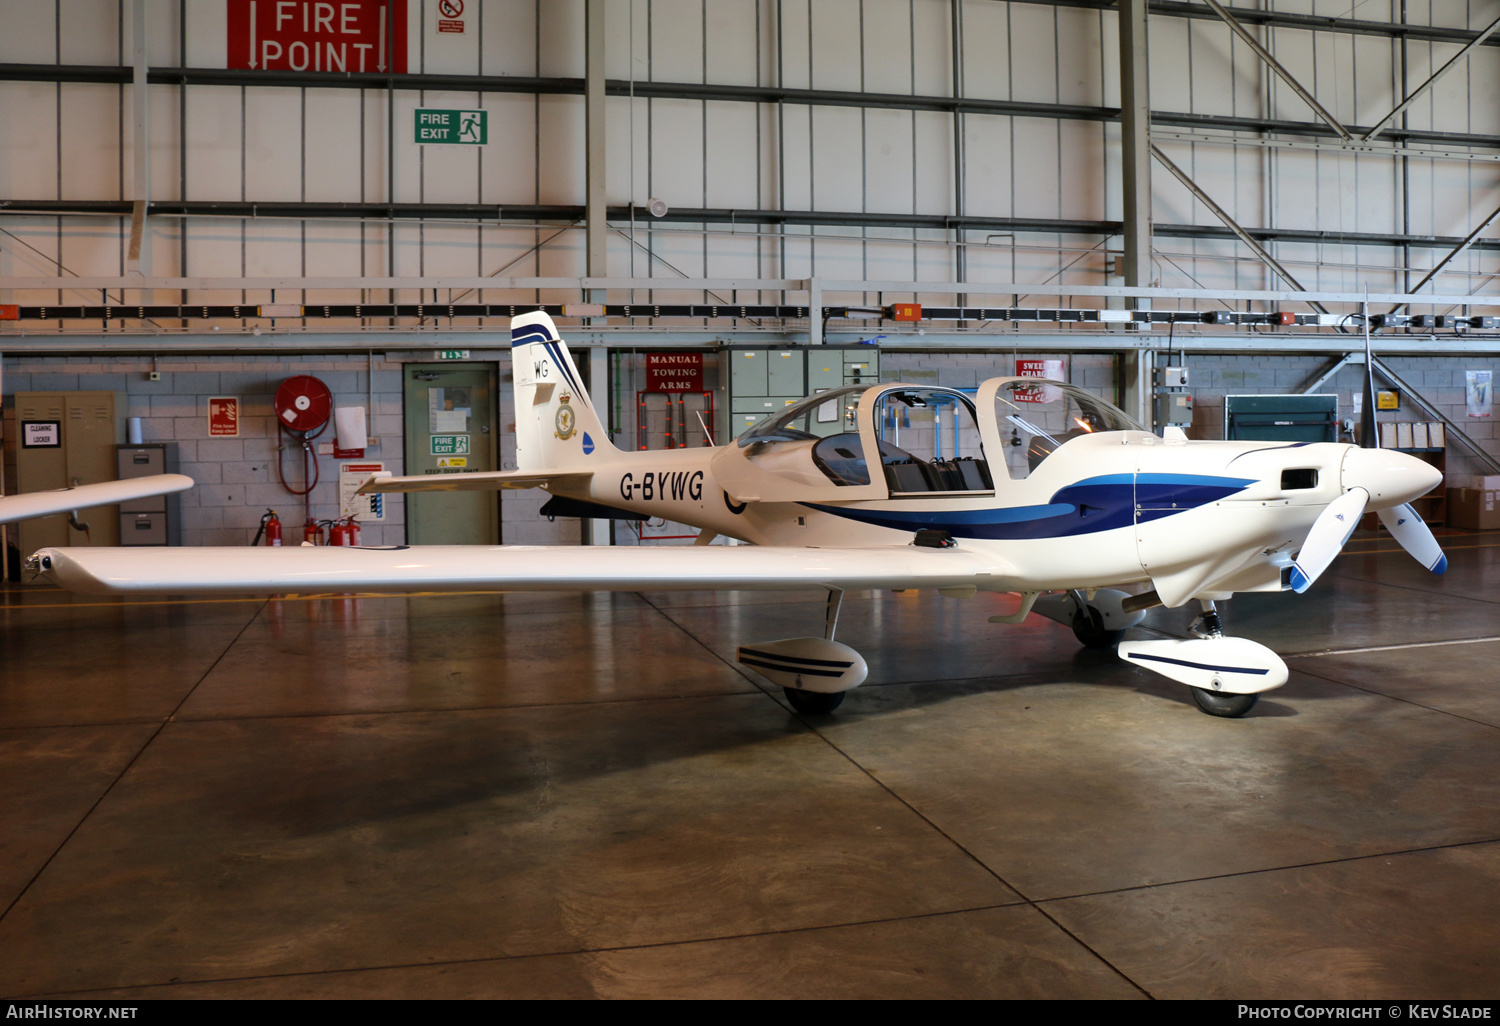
577,796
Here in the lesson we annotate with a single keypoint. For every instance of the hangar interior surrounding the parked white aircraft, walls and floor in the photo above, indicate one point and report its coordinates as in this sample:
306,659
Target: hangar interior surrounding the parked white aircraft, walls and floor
1171,205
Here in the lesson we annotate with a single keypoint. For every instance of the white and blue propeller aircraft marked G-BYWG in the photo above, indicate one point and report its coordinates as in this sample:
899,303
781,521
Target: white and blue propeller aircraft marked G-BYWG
1028,487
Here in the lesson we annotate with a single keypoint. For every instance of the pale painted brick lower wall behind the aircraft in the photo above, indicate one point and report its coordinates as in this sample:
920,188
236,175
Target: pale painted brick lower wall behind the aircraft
238,476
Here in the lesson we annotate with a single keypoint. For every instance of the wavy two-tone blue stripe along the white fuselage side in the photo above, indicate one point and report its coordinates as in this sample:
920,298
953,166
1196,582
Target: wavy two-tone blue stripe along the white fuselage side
1087,508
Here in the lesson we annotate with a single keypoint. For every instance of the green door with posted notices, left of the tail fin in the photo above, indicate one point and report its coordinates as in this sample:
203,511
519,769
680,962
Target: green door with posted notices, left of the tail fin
452,430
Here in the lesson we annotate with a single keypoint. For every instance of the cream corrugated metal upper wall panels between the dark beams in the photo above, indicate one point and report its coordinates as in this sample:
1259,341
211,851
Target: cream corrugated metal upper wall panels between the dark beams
71,142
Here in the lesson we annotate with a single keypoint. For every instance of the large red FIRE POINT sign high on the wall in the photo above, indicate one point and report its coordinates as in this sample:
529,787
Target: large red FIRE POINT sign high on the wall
314,35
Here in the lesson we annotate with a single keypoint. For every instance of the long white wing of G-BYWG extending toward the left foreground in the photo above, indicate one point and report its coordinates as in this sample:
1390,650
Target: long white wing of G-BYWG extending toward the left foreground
466,568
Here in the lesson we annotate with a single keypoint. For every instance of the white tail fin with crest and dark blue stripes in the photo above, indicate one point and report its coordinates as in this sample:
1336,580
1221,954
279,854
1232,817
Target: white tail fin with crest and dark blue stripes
556,422
